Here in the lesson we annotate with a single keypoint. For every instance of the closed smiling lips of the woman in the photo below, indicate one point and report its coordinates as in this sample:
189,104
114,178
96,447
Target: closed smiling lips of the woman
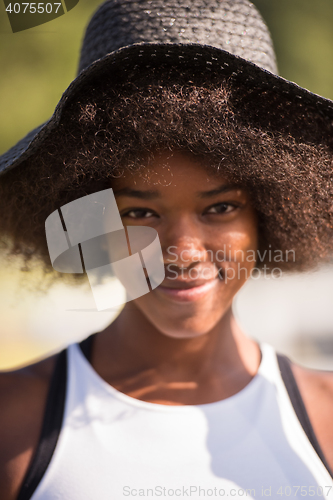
188,292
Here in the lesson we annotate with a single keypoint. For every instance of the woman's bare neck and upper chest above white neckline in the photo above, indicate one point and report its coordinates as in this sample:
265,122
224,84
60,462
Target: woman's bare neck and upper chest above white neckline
137,359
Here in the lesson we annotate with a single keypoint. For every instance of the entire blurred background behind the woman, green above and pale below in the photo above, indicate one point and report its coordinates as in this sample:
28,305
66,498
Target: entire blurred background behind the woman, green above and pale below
295,314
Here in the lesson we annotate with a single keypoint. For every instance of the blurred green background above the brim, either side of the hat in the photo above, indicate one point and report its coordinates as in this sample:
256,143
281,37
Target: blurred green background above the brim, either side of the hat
38,64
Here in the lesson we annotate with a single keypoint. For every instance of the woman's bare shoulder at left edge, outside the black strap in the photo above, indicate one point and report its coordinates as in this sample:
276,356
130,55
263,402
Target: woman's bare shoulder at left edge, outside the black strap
23,394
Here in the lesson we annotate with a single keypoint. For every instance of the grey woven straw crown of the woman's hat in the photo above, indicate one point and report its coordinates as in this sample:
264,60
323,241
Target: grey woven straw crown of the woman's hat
232,25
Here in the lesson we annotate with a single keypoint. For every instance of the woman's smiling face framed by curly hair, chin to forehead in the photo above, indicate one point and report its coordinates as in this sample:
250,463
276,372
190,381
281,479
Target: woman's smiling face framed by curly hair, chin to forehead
207,229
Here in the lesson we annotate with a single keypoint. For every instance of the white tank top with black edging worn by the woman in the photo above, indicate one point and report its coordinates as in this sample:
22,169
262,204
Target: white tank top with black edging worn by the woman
112,446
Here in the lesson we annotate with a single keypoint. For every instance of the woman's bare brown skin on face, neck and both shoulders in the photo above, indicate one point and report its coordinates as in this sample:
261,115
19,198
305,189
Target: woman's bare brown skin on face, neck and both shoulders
162,349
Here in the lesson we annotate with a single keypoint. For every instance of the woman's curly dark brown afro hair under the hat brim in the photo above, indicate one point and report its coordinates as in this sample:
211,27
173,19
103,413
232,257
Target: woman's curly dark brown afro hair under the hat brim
261,141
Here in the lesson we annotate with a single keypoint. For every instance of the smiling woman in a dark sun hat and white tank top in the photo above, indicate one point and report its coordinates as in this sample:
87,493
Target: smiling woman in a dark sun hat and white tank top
225,161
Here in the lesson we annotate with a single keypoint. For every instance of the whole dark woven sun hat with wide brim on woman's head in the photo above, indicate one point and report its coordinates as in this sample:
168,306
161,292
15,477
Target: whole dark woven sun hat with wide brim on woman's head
224,37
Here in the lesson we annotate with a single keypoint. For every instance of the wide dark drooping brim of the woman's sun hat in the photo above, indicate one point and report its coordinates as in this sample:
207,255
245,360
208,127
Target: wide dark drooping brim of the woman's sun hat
191,59
